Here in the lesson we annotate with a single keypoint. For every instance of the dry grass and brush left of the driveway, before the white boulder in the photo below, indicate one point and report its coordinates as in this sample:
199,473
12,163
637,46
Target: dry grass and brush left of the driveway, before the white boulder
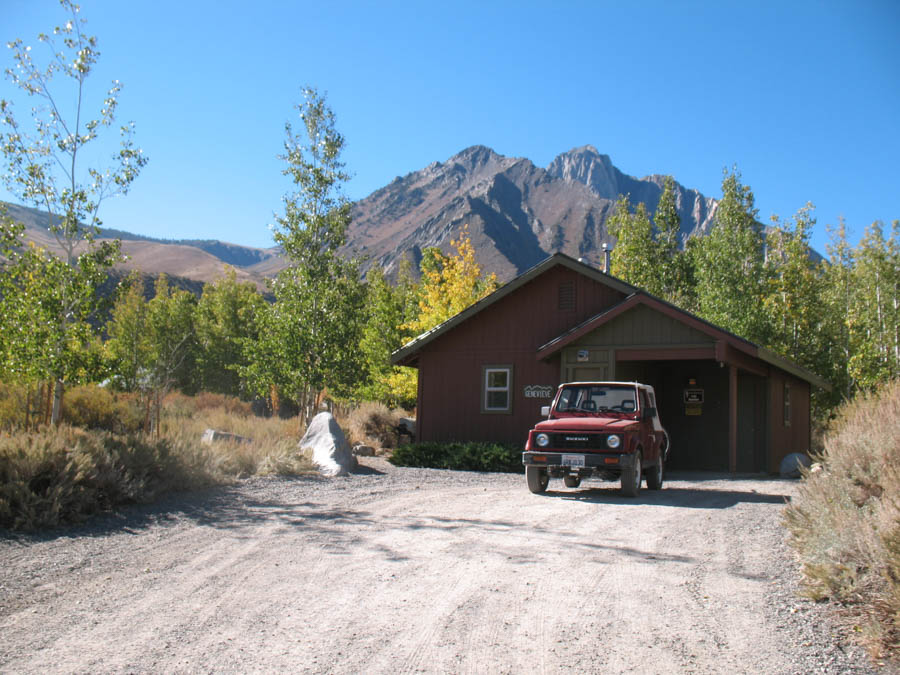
62,475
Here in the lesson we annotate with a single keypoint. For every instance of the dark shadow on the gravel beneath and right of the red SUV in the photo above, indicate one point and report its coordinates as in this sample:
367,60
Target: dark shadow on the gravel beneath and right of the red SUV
688,498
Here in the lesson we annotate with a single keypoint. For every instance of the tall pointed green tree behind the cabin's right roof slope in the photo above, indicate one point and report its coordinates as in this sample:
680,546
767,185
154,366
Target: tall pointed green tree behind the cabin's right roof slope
729,265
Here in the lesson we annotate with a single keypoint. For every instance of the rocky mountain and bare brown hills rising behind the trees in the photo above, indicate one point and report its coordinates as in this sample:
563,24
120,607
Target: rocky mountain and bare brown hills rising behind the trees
517,214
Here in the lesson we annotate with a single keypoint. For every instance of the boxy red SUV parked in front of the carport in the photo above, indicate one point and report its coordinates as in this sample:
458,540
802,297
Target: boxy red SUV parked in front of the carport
607,430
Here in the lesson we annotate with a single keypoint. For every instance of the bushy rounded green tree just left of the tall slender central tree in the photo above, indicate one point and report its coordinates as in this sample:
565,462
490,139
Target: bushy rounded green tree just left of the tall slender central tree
227,316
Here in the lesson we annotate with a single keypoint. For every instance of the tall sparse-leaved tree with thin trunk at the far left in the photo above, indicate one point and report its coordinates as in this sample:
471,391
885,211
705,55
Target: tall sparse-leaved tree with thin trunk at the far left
43,168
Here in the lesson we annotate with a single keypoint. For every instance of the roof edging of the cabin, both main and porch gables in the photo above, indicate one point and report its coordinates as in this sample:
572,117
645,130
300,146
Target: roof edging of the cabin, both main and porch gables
635,297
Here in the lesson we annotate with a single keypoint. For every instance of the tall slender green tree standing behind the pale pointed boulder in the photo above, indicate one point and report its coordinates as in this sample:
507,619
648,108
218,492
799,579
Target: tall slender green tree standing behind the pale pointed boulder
310,338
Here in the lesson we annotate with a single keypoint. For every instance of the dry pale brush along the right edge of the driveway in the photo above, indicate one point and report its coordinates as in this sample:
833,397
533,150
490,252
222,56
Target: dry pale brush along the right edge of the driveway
845,523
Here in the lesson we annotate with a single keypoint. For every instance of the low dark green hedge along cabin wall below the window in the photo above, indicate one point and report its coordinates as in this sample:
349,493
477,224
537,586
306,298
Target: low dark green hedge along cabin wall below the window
460,456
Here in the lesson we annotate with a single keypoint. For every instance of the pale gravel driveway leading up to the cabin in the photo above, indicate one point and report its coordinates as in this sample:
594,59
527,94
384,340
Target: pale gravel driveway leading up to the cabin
408,570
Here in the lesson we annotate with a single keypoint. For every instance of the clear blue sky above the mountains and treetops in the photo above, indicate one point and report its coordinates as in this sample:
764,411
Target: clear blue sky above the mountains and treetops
803,96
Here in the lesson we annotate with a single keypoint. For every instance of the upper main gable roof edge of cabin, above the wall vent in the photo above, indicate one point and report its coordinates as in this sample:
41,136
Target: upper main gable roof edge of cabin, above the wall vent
404,355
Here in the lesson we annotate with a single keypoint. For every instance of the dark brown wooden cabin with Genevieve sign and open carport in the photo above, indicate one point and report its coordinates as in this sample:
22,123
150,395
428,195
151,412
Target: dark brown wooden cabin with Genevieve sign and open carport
484,374
